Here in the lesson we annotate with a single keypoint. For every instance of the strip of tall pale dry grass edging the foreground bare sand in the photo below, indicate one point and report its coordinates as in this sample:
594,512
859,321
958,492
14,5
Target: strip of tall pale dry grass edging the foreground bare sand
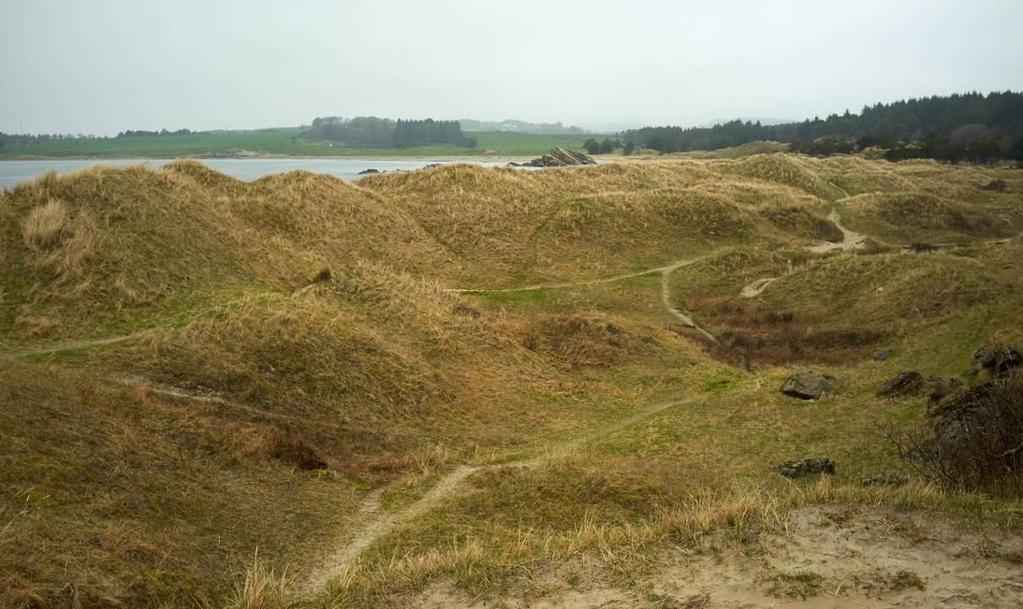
482,564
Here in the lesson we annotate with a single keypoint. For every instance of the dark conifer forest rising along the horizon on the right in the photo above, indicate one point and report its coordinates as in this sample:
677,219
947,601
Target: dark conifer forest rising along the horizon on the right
960,127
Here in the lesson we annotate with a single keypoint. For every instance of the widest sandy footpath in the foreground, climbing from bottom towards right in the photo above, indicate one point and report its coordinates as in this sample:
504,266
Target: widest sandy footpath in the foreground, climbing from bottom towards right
373,525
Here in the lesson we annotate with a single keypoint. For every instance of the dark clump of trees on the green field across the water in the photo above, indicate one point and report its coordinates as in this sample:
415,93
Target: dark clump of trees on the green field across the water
385,134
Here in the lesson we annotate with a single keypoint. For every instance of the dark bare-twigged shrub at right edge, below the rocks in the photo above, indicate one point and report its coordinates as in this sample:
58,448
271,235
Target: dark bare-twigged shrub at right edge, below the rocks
972,441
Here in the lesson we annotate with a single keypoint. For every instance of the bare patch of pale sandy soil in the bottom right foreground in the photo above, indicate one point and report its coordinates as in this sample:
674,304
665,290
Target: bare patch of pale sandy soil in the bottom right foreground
836,557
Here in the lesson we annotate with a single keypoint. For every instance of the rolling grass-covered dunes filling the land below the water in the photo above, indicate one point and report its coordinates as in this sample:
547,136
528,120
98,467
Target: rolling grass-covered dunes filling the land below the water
465,385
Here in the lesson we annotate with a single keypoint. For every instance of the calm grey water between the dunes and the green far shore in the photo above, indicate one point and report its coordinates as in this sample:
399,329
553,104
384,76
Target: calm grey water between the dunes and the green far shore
13,172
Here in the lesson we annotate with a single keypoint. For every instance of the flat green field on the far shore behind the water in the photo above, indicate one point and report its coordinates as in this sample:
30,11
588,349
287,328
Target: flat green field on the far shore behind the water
285,142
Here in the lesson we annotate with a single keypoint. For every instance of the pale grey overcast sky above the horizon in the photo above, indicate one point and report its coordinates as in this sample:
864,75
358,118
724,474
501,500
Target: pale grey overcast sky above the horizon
104,66
